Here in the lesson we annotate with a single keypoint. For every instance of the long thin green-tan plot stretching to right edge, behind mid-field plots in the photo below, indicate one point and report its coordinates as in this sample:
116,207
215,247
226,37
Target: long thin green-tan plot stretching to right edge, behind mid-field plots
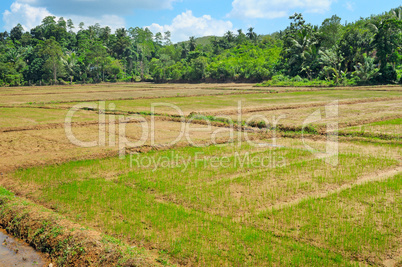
228,104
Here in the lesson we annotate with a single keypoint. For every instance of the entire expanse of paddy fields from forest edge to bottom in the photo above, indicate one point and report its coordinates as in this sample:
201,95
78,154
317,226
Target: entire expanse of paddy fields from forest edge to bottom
228,194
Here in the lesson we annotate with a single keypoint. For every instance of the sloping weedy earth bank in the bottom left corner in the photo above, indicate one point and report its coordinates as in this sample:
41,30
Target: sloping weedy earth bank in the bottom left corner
65,243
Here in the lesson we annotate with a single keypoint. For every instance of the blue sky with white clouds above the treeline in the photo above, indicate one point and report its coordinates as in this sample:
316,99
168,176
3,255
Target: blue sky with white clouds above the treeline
185,18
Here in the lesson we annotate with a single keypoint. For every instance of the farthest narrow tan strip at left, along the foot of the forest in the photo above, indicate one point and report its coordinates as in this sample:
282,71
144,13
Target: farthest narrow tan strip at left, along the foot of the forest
49,94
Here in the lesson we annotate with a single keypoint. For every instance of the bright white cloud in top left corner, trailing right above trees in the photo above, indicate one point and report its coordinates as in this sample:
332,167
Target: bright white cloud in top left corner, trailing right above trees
29,17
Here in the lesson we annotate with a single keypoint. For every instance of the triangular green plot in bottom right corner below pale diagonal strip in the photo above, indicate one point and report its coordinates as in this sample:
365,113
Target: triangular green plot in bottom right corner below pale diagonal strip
364,223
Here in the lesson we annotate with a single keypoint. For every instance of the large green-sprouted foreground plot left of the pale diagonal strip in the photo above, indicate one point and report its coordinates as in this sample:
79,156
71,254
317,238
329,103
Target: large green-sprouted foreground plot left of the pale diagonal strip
193,215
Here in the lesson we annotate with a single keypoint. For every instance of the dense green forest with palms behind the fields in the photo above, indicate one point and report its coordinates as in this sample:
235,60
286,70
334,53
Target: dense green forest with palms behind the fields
368,51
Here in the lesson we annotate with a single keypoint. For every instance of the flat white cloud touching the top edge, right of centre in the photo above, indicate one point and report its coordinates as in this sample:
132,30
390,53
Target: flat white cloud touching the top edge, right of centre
276,8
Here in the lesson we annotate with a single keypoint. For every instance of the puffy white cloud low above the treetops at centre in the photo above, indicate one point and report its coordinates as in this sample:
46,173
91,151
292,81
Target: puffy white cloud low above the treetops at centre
186,24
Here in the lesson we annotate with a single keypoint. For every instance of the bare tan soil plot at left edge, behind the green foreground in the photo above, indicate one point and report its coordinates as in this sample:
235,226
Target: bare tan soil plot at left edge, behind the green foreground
48,144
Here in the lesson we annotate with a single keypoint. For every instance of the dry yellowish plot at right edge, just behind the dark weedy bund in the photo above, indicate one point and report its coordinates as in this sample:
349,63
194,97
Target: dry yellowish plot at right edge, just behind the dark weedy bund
377,113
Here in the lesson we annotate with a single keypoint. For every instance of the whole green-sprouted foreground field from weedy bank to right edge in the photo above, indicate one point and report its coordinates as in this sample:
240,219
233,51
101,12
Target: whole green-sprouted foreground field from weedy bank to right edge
208,209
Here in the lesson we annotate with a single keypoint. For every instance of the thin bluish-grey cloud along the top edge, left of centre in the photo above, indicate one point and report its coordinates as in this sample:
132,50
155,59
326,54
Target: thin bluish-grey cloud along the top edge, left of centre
94,8
